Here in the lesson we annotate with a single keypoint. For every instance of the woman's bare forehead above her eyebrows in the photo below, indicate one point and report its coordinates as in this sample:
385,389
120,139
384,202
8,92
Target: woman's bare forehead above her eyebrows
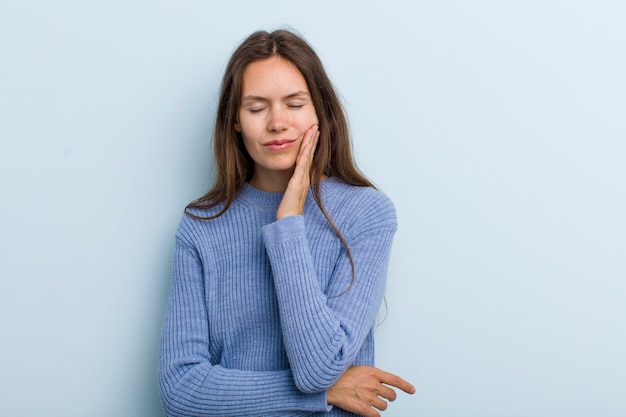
274,76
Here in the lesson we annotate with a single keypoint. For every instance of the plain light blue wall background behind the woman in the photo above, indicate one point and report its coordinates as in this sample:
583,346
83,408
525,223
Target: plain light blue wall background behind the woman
497,127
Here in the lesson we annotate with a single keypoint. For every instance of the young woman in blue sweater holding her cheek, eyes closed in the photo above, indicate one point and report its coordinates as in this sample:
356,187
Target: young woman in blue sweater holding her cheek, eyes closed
279,270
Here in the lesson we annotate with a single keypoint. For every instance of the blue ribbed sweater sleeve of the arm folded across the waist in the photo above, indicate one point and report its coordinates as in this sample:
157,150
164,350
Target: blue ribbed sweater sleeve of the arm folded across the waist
191,384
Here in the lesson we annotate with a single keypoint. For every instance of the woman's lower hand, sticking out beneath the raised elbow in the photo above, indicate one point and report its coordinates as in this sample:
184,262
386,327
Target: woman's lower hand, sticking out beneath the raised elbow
360,389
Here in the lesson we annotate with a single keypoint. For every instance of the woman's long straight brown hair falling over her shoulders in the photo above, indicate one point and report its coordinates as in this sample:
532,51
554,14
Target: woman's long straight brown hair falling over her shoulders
333,155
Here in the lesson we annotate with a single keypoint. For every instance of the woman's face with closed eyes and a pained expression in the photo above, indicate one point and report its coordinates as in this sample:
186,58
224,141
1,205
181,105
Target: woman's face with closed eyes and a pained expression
276,110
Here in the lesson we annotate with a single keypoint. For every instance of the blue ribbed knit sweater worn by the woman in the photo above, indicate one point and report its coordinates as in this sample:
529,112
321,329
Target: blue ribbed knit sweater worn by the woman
263,314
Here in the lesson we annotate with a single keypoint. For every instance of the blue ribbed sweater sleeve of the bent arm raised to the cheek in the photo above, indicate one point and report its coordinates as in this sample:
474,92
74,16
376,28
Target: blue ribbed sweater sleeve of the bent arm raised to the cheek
324,331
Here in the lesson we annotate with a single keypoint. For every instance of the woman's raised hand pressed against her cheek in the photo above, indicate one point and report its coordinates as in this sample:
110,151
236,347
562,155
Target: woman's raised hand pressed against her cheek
298,186
